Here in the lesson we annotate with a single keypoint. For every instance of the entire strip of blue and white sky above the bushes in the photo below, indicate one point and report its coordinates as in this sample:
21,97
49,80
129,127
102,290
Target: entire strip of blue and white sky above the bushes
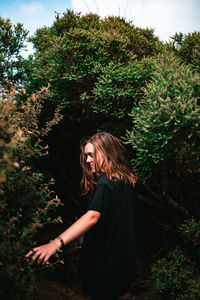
166,17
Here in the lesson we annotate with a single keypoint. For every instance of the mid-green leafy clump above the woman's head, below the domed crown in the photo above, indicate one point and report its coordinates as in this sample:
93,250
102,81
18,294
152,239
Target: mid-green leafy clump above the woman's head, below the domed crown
119,87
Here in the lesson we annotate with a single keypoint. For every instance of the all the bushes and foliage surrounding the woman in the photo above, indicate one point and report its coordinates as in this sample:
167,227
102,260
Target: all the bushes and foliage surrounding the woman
103,74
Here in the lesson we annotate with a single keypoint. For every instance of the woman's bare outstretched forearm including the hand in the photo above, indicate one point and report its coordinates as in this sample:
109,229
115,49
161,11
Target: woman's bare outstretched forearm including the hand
80,227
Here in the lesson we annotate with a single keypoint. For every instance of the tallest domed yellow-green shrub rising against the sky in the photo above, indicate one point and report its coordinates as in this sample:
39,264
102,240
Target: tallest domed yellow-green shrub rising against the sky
73,52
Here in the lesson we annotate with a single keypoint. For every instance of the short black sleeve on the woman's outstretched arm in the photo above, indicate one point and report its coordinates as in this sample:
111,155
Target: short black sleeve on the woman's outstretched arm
100,197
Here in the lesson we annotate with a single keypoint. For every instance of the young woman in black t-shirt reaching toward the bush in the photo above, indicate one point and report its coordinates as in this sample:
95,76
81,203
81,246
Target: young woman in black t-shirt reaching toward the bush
107,262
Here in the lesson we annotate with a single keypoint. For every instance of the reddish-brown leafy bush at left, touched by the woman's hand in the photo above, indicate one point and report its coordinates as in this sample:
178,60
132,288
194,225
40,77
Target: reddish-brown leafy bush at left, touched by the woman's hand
26,200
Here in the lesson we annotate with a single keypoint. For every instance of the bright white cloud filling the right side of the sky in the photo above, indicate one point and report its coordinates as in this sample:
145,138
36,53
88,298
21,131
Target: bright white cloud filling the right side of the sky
165,16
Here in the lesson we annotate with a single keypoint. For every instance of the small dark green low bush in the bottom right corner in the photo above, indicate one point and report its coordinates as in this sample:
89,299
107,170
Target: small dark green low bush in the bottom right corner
176,277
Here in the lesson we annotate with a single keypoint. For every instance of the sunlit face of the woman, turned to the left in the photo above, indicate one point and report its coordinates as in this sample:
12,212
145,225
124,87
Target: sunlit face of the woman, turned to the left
89,154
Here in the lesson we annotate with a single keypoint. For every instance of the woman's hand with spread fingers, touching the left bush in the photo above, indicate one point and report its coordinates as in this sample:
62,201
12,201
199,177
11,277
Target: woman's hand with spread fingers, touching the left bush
41,254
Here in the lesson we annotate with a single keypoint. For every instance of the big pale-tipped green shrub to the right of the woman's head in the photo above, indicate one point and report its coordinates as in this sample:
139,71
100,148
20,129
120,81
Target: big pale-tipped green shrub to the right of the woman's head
166,130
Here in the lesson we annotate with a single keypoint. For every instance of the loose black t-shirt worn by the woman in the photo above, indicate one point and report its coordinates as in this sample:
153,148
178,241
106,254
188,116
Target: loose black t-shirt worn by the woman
108,252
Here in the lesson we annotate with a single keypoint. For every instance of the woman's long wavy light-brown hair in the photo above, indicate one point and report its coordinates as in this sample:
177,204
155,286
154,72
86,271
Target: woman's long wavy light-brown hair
115,164
